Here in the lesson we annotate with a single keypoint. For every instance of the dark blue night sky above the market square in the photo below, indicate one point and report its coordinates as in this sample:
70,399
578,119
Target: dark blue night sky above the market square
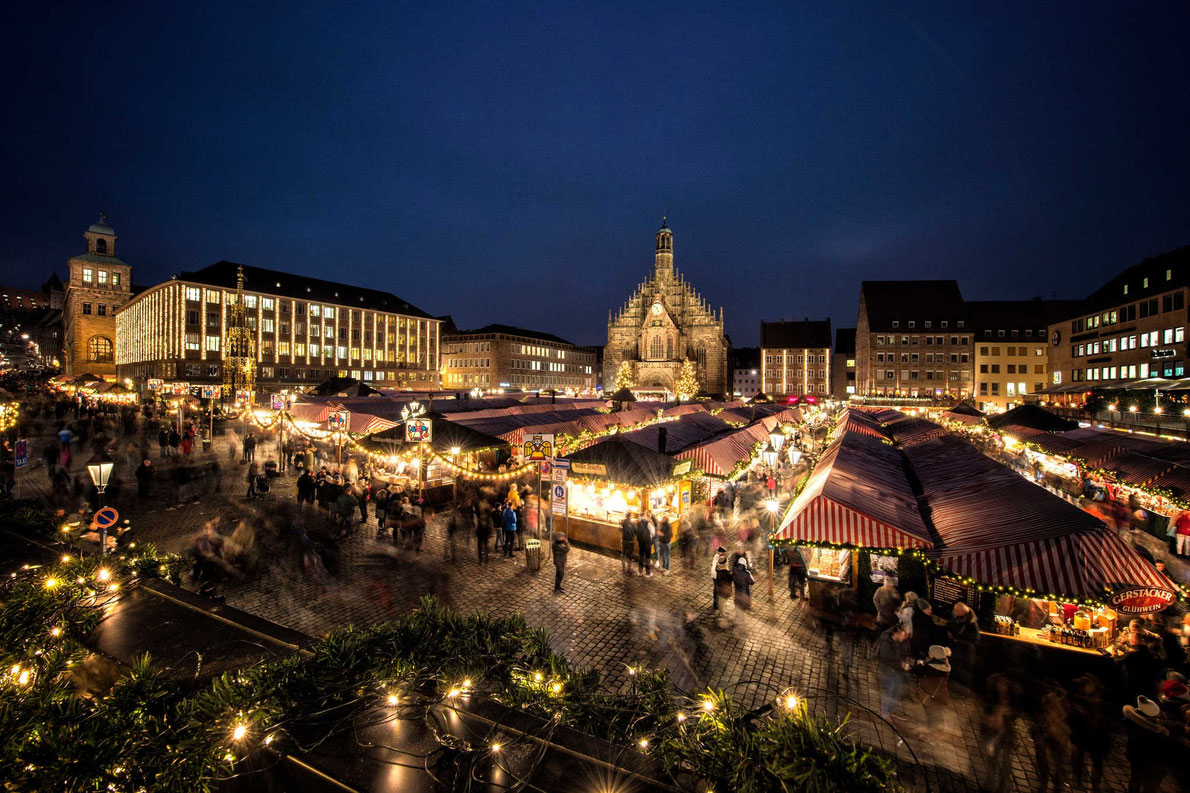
513,165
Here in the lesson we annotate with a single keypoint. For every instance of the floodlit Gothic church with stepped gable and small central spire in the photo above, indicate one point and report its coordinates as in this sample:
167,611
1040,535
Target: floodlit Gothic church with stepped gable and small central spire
663,323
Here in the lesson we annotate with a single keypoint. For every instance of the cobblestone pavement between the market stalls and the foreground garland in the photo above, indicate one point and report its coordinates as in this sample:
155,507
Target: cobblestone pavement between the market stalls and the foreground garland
612,621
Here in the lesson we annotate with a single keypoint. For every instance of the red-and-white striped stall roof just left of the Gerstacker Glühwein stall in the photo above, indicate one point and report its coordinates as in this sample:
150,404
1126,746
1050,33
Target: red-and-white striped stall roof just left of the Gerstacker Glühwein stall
857,496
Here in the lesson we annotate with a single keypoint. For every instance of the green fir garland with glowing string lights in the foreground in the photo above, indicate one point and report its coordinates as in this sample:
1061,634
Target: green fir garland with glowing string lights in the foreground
148,734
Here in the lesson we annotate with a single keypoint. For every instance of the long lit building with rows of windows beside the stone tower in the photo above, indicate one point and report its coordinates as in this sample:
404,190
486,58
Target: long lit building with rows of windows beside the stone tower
305,330
